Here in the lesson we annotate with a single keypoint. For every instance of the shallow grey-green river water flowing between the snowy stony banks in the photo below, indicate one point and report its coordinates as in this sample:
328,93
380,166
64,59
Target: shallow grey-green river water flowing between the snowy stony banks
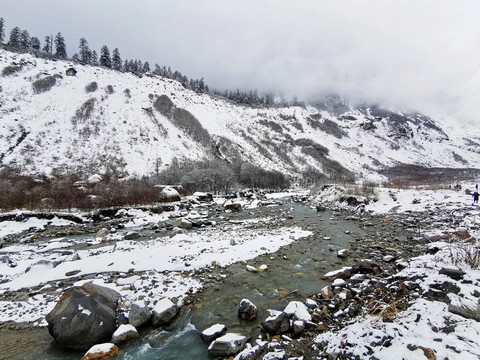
294,272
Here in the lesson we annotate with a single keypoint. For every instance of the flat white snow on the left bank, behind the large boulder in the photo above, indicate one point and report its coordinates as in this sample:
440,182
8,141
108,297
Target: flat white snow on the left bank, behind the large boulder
169,261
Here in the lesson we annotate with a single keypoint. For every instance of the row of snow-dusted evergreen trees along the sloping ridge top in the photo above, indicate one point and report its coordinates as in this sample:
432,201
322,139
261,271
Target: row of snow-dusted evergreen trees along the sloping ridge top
56,48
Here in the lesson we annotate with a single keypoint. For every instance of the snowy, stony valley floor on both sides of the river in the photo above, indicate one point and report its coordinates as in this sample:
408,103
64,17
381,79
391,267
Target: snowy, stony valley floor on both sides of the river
426,296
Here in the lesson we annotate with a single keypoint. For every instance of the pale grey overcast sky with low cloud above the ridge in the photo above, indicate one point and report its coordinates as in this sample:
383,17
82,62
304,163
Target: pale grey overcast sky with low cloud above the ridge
418,54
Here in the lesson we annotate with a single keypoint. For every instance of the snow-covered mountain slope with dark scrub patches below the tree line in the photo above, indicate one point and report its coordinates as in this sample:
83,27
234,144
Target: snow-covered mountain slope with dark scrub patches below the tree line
101,119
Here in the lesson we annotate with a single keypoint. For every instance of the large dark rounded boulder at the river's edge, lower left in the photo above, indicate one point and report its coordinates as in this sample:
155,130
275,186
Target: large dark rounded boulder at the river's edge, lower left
84,316
